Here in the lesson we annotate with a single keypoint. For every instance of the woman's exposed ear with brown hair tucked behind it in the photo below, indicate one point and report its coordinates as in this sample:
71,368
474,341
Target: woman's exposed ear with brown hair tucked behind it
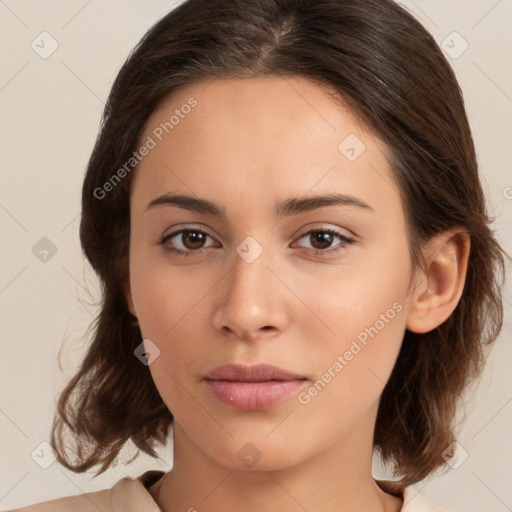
439,285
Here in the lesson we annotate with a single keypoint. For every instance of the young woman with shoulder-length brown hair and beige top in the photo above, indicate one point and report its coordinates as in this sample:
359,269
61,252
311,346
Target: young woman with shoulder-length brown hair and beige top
284,209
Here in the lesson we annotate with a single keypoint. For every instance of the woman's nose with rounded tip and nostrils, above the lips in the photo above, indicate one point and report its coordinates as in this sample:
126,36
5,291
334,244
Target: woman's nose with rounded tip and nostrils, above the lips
252,301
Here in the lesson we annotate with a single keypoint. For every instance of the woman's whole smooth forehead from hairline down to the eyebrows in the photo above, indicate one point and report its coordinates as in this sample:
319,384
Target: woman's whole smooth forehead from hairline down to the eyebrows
260,137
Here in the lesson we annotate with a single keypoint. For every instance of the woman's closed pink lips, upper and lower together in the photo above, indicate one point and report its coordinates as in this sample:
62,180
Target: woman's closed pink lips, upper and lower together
252,387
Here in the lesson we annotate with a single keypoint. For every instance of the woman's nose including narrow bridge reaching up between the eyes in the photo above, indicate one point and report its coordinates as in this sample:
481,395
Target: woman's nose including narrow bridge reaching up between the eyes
250,298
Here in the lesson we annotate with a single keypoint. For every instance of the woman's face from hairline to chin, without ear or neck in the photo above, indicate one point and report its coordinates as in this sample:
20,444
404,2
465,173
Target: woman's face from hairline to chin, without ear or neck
301,262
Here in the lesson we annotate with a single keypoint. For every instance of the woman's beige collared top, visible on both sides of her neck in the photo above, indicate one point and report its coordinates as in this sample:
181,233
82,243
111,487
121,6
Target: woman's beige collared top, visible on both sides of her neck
131,495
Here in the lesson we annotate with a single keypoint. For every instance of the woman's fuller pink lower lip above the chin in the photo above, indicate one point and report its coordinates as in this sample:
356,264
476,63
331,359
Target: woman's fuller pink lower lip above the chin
253,395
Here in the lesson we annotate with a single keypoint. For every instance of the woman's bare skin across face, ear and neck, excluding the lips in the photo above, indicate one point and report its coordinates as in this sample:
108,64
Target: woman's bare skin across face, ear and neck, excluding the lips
300,304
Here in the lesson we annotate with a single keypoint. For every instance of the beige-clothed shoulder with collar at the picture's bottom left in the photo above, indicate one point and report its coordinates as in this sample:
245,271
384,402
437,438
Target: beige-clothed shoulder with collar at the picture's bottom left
126,495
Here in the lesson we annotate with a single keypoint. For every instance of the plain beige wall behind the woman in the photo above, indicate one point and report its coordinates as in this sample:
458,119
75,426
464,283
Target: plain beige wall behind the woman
50,110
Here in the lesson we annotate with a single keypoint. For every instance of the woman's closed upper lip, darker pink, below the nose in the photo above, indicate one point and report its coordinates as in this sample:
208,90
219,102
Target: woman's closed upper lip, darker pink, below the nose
253,373
